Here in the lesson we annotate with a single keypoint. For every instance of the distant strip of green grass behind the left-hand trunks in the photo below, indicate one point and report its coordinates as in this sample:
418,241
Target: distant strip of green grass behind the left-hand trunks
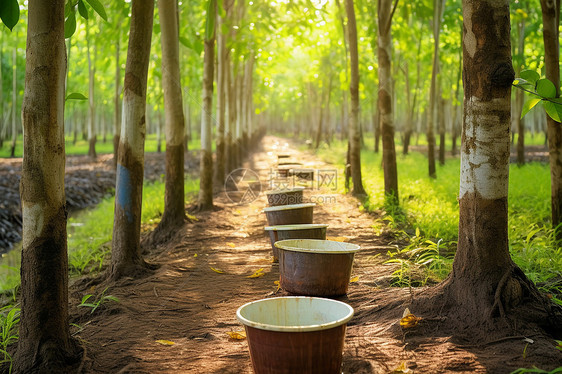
81,146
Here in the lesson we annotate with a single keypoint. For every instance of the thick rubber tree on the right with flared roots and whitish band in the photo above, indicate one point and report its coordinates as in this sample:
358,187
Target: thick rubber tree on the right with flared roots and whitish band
485,283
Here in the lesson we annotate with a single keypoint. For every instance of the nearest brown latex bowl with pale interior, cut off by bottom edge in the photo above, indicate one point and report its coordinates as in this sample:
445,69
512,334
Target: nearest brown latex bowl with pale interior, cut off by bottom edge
295,334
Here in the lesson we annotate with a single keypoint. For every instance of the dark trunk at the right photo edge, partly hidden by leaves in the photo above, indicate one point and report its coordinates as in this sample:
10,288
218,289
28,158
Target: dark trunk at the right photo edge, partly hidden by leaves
551,21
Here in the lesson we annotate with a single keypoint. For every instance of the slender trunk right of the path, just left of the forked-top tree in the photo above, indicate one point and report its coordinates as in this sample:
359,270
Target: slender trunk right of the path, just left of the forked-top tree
354,135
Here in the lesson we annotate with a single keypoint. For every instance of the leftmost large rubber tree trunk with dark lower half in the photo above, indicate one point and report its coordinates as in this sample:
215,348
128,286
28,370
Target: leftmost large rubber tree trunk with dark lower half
44,344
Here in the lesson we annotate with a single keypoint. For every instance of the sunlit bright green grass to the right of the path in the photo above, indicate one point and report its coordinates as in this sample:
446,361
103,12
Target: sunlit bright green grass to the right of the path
428,216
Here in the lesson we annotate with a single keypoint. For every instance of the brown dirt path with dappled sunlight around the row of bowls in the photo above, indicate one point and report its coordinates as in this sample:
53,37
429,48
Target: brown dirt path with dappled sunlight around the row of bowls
189,304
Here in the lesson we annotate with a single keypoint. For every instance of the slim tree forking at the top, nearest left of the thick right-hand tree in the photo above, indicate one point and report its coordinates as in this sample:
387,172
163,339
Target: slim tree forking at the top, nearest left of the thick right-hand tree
384,51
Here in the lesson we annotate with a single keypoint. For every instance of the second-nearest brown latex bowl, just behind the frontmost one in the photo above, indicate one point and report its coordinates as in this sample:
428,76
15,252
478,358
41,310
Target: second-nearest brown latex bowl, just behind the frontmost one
315,267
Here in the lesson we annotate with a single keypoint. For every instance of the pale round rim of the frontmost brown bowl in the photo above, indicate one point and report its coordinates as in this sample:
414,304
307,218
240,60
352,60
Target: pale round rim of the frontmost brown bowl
304,328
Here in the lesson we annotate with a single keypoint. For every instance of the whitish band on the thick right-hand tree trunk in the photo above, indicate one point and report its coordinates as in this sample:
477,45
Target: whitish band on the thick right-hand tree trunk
485,151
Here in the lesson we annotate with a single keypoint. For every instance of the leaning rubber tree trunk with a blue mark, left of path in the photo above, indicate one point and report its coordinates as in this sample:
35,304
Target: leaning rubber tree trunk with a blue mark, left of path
126,257
